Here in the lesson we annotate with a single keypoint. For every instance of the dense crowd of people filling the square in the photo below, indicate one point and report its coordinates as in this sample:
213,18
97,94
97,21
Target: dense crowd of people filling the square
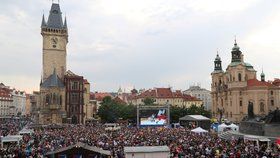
181,141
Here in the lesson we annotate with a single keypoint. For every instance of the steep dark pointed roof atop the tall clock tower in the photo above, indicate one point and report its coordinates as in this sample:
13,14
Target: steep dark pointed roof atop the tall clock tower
55,18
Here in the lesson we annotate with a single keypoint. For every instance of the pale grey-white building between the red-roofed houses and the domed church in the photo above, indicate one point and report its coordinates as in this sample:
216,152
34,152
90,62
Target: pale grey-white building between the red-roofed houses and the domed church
202,94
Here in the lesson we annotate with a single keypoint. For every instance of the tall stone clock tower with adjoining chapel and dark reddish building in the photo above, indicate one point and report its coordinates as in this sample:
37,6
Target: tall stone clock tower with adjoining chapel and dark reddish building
62,98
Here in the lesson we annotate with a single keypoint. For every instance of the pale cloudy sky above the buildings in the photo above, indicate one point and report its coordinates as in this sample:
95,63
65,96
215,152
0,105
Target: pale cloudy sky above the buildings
141,43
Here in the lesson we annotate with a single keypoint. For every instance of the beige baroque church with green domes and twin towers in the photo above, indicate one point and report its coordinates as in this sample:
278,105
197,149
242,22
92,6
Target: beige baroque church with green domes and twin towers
232,90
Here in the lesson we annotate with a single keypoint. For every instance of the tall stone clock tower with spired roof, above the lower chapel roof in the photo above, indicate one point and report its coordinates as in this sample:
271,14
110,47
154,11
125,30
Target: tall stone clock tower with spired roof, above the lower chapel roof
55,39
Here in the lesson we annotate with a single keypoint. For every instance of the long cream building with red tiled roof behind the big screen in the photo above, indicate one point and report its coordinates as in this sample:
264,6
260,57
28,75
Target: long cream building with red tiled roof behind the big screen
163,96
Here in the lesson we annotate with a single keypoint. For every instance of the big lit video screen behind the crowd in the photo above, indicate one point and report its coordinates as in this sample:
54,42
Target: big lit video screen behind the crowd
153,117
